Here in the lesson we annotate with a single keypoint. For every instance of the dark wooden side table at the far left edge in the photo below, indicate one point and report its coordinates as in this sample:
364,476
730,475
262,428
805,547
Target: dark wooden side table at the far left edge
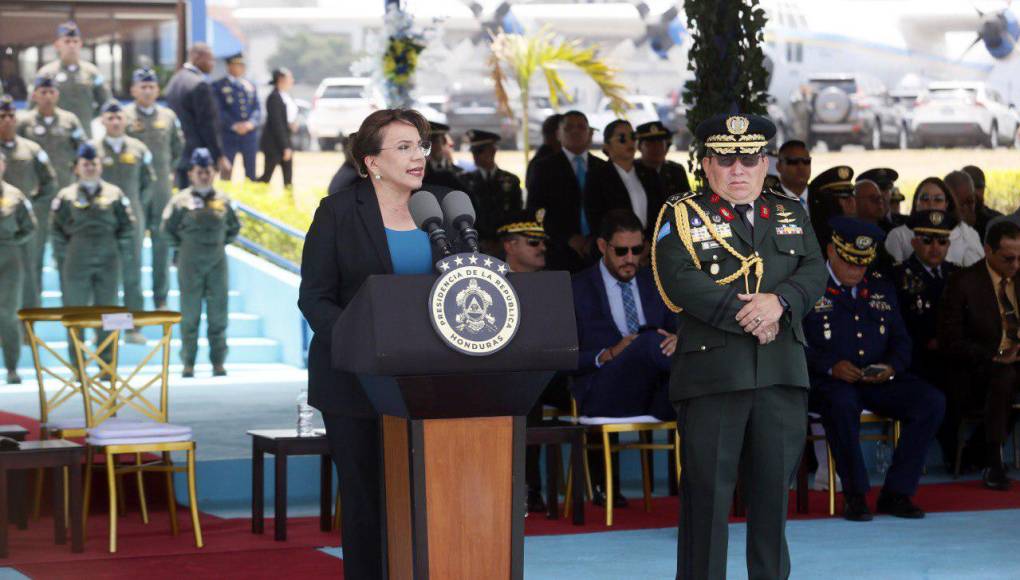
54,454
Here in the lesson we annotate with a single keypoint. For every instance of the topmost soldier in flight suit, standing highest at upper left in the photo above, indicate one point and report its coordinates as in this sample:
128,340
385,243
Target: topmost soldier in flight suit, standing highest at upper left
83,89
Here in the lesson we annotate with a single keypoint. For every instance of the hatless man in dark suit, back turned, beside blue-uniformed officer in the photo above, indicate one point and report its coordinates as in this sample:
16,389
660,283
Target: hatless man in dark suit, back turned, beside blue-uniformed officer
190,96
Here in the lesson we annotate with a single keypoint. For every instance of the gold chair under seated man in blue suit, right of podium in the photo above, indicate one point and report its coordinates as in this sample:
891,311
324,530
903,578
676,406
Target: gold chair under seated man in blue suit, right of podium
603,429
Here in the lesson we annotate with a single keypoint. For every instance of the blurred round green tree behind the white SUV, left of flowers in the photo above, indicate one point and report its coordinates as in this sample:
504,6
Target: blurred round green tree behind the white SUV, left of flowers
314,57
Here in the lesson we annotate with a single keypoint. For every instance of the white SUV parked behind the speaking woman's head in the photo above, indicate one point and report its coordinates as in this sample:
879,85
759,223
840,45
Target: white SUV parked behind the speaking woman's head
340,106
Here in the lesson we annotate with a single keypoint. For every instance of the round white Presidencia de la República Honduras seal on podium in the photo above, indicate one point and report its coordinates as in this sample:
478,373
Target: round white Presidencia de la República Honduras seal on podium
473,306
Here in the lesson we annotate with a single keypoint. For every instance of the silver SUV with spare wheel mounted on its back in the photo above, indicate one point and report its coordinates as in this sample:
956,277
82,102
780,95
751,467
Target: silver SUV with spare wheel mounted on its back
855,110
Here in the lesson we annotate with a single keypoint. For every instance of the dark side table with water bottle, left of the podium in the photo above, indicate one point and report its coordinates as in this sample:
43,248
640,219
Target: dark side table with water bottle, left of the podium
283,444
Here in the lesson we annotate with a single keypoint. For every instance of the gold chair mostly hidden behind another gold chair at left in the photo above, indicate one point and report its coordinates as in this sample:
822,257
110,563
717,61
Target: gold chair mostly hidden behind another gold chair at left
69,386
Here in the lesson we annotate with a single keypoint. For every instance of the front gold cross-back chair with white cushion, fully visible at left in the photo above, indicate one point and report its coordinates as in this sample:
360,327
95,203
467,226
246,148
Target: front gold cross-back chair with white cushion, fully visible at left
152,434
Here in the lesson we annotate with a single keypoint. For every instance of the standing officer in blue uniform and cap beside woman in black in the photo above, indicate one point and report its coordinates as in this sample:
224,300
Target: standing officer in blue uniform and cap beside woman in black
239,116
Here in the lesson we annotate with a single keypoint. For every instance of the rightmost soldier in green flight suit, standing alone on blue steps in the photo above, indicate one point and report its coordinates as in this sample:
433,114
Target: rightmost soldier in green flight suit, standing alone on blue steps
200,223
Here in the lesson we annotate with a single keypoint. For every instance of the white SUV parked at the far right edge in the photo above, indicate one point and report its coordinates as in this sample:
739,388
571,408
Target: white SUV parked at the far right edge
960,113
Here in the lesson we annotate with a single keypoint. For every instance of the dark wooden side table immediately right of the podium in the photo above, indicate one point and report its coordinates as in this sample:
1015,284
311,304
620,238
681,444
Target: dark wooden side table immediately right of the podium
552,435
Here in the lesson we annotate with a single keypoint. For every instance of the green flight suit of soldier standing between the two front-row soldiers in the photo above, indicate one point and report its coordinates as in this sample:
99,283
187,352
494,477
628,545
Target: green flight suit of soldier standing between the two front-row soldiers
130,169
